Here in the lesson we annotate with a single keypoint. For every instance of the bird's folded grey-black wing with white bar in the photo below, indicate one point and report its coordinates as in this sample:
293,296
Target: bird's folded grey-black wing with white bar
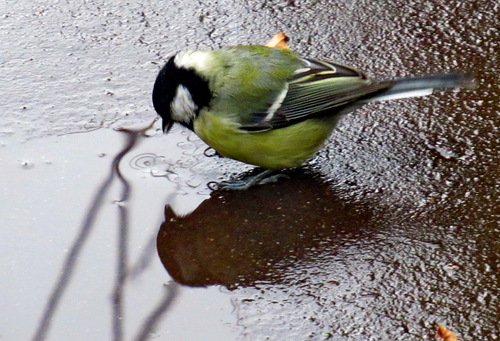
319,88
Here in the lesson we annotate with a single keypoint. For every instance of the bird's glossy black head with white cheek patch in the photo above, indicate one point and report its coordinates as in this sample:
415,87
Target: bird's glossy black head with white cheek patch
179,94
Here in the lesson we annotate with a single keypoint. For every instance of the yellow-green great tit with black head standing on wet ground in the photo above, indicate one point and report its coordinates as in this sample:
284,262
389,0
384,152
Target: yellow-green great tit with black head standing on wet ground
268,106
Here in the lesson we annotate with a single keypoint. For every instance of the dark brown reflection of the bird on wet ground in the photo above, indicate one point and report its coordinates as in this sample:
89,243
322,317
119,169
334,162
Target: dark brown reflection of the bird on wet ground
241,238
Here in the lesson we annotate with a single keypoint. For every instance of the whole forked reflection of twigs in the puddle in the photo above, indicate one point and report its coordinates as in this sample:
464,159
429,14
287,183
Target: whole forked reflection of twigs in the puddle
121,274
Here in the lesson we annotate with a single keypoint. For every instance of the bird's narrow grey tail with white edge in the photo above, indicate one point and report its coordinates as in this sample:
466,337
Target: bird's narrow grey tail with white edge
422,86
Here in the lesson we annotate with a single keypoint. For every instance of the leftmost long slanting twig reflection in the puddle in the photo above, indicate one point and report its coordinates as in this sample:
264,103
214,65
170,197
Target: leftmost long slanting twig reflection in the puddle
77,246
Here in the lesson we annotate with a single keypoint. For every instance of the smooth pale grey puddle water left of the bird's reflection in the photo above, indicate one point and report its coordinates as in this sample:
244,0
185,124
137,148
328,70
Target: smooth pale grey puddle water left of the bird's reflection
65,191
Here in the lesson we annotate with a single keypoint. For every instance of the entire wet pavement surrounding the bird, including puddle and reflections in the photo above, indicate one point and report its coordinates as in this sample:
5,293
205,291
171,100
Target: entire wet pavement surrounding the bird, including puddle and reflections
389,230
